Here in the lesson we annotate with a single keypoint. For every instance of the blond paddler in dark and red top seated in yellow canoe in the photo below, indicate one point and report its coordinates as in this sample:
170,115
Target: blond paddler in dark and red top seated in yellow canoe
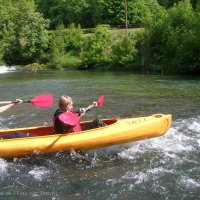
66,119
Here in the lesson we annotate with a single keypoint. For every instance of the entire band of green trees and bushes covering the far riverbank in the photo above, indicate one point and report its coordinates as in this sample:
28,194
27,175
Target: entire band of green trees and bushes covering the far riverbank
168,40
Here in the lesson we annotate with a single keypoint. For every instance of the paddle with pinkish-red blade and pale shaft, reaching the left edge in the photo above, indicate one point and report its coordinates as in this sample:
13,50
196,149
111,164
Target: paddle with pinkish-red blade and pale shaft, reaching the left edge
44,100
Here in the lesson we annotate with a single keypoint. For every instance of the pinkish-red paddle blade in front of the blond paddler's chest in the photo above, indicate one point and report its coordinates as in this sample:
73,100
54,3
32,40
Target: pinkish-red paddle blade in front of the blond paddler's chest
69,118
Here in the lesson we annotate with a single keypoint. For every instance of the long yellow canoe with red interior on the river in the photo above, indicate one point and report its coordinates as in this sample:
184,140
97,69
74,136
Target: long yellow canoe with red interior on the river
117,131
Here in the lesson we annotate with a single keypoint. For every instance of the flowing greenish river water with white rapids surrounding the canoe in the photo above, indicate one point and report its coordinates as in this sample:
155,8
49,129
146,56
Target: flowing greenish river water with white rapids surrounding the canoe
167,167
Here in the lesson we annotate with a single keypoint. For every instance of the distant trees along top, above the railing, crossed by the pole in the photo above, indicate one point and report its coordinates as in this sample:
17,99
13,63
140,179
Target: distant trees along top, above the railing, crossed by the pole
89,13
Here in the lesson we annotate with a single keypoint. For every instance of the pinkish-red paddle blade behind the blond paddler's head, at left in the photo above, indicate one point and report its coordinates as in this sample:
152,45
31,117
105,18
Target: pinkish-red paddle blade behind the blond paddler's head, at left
44,100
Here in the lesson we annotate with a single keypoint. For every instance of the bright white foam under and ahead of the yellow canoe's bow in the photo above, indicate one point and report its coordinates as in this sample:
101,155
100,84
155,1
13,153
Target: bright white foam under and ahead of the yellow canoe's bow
181,137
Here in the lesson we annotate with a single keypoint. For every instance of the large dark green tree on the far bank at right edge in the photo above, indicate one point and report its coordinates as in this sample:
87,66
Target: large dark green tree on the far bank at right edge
173,41
